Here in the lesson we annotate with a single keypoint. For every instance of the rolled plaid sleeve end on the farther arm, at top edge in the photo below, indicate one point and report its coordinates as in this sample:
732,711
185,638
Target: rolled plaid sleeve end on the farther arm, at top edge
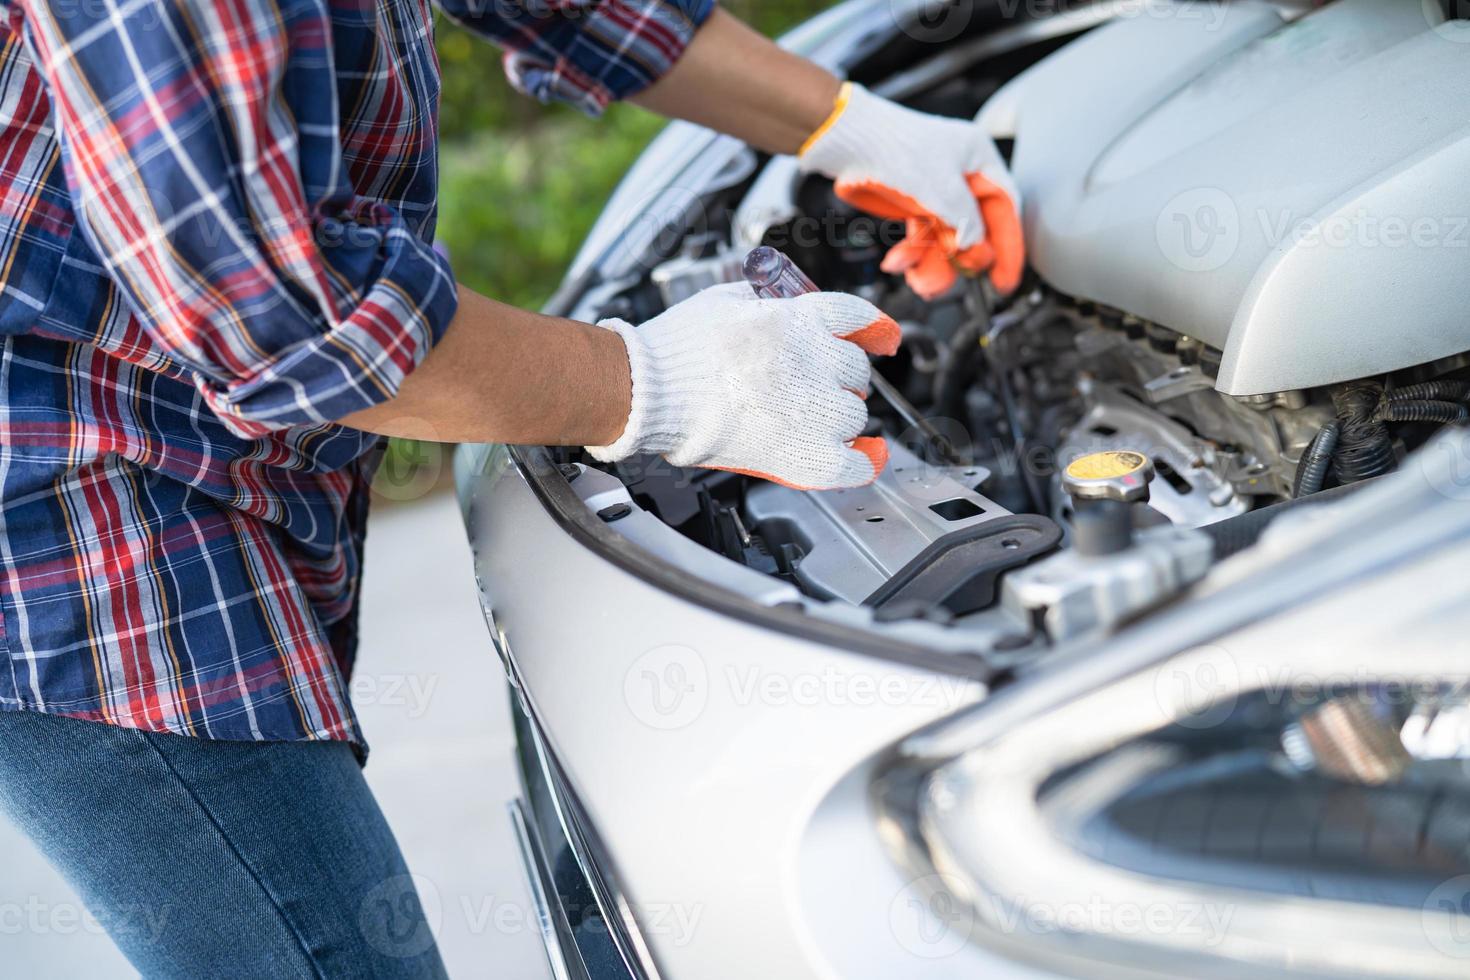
584,52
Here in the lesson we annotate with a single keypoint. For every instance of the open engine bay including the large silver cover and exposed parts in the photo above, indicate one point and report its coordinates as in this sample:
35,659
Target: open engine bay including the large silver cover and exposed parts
1238,381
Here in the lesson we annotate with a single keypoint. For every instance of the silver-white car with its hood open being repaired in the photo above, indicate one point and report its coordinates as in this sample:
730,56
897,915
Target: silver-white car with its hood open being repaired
1153,663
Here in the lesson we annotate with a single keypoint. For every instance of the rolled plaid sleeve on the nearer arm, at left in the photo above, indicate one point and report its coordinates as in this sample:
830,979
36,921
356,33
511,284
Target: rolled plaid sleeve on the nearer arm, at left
204,158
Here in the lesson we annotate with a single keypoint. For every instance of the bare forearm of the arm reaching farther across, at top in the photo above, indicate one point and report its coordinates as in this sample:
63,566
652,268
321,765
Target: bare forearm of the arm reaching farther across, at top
739,82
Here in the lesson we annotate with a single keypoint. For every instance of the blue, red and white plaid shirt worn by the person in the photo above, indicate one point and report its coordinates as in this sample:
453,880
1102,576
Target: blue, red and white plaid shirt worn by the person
215,239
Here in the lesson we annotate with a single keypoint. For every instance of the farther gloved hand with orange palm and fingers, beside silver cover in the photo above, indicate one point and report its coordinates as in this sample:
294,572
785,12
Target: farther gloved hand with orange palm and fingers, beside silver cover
942,177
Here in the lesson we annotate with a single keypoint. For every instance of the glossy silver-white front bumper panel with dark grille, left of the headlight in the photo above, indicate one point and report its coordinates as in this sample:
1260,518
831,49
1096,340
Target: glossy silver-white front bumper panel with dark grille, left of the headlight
736,804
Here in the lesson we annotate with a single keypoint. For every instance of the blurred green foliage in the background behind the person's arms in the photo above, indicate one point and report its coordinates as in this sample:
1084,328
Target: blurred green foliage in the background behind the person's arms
523,183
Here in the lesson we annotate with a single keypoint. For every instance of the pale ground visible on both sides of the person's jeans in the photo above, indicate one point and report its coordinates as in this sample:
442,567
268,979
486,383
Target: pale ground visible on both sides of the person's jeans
433,703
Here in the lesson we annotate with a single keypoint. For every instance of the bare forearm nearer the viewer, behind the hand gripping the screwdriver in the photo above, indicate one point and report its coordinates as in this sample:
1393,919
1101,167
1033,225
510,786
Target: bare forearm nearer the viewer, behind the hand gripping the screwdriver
506,375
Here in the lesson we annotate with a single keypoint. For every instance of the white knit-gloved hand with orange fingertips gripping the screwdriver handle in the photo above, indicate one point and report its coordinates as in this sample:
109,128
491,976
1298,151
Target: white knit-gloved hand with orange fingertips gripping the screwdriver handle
772,389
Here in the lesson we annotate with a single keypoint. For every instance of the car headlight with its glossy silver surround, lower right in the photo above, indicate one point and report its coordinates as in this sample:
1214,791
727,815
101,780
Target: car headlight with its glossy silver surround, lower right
1287,796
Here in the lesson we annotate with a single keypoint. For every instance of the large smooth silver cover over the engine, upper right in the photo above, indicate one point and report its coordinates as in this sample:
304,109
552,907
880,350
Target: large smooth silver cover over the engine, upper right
1293,195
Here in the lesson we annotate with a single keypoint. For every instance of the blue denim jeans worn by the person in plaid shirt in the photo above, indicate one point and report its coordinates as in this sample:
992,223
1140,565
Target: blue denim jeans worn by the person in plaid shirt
218,859
